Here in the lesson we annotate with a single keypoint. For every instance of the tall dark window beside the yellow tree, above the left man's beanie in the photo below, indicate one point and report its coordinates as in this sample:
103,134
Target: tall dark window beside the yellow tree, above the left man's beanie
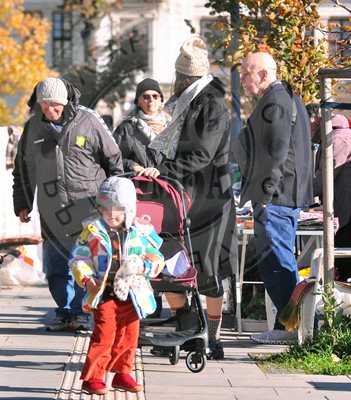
62,39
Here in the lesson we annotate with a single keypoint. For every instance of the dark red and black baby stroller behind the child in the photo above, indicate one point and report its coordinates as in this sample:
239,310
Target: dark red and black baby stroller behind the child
164,203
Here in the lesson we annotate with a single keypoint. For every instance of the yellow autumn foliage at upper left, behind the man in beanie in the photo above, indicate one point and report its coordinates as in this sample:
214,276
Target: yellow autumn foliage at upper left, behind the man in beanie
22,55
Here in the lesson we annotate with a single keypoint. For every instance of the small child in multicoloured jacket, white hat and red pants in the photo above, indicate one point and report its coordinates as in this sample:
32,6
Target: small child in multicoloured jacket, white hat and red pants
112,259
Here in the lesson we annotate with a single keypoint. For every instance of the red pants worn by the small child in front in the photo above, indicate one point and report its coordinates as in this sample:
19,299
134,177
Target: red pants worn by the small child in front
114,340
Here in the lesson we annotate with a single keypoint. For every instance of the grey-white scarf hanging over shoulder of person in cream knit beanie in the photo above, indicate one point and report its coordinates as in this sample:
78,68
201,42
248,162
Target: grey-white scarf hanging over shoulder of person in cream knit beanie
167,141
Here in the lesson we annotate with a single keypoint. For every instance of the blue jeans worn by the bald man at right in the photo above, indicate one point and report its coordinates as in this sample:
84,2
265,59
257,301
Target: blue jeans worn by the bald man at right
275,231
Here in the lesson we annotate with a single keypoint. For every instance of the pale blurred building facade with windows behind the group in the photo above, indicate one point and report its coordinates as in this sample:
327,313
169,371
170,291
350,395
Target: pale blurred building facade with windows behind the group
158,27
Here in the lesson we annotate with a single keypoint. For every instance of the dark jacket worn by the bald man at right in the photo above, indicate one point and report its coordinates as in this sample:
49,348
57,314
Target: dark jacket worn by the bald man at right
274,153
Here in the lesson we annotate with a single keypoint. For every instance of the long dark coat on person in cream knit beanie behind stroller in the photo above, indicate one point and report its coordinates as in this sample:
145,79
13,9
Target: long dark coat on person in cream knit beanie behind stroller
201,165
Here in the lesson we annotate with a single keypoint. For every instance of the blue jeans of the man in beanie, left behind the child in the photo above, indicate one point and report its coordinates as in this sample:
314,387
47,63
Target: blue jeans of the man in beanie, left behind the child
65,292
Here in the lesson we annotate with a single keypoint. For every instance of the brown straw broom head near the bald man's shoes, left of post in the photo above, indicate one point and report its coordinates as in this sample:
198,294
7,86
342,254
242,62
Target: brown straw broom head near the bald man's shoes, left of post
290,315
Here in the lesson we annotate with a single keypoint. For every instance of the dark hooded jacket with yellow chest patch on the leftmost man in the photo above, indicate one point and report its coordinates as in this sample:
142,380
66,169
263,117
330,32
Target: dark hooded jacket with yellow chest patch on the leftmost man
65,167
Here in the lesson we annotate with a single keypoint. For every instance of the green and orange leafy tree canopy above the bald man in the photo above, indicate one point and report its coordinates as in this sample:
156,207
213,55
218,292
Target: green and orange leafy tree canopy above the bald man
287,30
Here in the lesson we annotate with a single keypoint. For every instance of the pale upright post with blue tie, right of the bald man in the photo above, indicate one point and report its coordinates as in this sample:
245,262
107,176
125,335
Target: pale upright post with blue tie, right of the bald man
328,189
